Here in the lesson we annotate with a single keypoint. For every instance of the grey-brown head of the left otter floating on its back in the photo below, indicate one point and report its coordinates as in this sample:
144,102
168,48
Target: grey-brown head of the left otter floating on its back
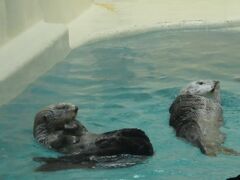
56,116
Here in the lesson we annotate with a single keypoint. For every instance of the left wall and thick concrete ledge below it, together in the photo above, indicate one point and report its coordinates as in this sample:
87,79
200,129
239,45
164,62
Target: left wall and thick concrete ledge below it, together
33,37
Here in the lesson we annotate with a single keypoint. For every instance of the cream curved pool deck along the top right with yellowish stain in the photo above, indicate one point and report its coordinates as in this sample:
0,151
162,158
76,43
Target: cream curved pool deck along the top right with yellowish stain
111,17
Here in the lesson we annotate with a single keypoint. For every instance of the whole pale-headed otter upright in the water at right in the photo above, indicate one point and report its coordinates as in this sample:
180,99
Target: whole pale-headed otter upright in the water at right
196,115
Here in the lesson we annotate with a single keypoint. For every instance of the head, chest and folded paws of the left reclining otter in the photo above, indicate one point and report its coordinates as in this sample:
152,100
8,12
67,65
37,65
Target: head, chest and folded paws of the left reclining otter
55,126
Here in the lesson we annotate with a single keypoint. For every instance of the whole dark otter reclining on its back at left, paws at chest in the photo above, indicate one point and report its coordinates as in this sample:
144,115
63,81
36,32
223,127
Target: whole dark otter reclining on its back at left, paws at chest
56,128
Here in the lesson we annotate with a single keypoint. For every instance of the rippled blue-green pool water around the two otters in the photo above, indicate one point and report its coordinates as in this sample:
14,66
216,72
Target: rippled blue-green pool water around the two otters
130,81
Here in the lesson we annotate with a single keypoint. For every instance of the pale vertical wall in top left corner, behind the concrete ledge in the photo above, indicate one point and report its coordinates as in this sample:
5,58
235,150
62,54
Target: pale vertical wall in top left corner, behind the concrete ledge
18,15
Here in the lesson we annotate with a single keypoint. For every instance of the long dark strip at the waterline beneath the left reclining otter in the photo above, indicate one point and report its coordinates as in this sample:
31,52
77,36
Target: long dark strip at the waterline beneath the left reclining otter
86,161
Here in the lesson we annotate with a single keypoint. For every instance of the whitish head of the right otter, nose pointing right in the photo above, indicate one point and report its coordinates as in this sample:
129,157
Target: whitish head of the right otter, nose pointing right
207,88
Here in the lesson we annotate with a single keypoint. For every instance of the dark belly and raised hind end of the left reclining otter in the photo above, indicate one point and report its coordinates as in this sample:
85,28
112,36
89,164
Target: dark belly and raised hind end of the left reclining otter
123,141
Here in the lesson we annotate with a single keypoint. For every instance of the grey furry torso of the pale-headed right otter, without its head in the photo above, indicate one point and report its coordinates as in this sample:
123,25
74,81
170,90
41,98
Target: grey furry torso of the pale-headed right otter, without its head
197,120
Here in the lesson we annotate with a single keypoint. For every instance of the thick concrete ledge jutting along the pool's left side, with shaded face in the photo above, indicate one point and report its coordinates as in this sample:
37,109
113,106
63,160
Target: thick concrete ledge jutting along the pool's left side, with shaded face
29,55
